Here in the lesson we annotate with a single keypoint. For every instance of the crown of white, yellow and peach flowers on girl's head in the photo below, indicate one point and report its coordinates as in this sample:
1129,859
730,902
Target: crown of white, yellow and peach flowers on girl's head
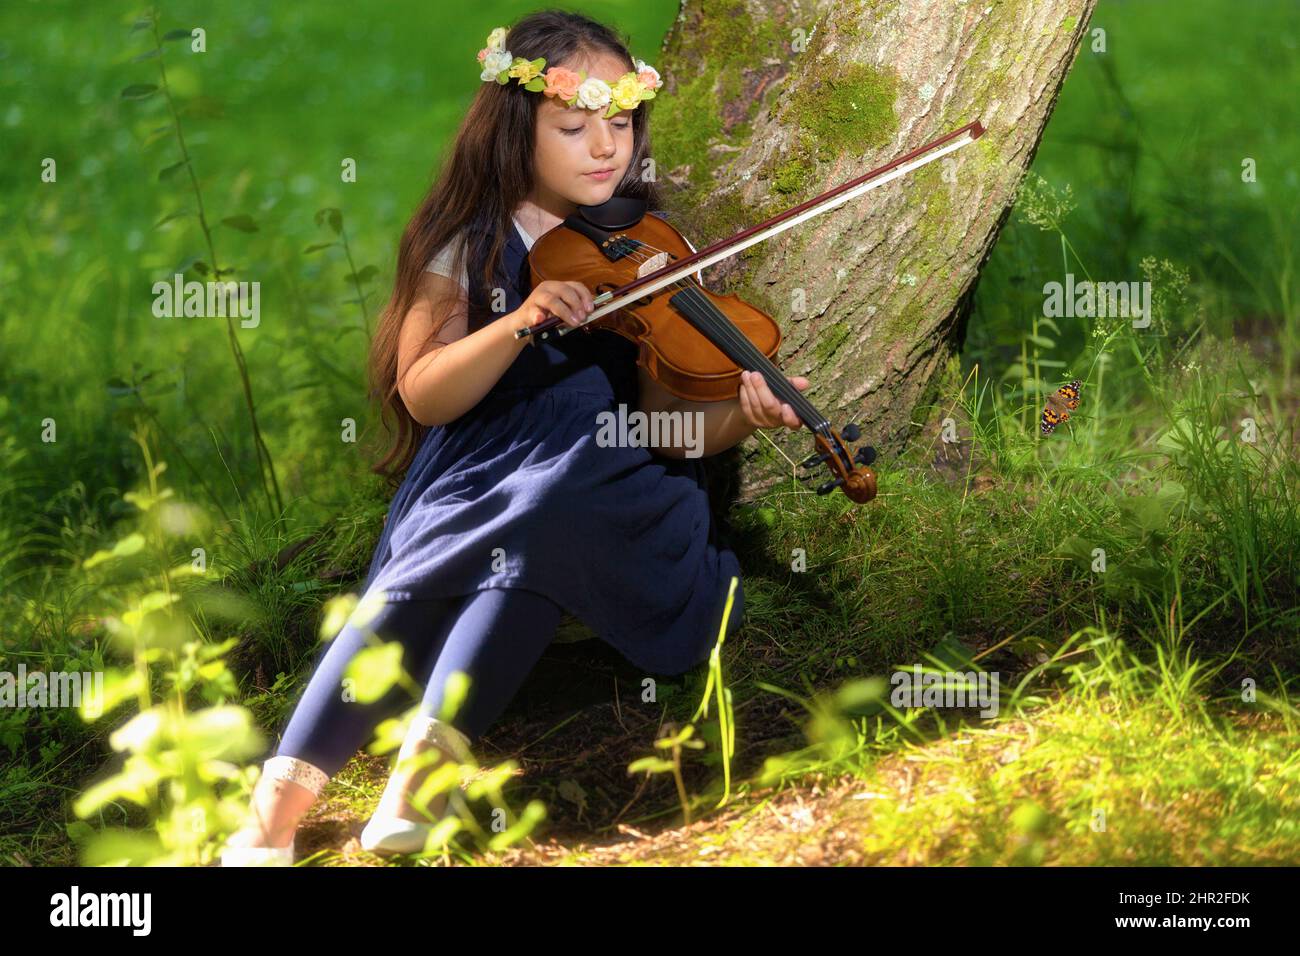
573,89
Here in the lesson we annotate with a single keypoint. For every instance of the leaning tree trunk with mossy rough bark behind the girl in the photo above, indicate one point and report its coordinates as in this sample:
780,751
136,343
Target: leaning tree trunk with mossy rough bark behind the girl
769,105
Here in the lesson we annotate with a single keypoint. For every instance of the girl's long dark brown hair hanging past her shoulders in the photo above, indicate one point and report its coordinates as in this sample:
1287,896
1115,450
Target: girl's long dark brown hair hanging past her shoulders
488,174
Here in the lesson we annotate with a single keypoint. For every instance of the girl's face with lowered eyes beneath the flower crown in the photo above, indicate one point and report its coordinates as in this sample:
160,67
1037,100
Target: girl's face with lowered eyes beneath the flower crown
574,142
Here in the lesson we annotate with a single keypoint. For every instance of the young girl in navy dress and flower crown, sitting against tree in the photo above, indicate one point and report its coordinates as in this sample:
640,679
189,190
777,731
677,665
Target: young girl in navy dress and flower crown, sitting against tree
510,513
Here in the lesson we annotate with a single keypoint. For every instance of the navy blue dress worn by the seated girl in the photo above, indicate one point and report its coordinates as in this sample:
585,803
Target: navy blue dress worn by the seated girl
621,538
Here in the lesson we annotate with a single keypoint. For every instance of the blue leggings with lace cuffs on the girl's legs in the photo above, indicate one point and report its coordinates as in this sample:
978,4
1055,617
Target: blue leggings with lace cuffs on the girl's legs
495,635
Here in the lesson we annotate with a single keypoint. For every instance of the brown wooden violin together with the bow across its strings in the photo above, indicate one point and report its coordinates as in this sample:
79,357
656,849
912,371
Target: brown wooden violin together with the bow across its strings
695,343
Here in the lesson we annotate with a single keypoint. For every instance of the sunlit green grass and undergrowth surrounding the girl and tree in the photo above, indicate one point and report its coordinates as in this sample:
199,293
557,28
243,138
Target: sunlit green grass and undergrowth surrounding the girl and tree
1128,682
